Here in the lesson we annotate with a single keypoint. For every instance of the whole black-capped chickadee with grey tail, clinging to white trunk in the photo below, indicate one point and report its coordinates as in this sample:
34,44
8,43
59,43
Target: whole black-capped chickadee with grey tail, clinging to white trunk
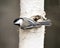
26,23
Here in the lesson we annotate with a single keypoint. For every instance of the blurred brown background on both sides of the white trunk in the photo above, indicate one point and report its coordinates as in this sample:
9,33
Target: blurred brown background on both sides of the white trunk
9,10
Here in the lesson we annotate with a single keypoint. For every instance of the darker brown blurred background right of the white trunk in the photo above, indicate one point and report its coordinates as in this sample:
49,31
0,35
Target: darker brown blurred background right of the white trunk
52,36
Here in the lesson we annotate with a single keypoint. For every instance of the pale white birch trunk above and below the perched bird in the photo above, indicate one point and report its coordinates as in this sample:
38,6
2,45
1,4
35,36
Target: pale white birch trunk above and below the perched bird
31,38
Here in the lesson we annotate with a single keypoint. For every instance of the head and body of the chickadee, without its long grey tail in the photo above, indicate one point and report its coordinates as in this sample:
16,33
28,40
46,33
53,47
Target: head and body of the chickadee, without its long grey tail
25,23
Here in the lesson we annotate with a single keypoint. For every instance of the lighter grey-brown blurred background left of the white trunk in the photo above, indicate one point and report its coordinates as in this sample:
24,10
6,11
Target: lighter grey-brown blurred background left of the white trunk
9,10
